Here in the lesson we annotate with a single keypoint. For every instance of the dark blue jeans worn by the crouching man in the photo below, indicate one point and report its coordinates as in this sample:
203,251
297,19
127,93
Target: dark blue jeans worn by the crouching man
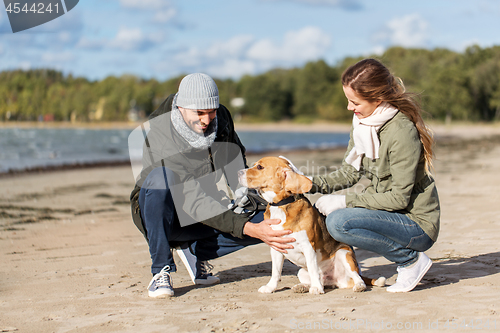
163,228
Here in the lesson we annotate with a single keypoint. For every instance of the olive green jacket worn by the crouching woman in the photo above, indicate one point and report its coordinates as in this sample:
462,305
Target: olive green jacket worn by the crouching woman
398,179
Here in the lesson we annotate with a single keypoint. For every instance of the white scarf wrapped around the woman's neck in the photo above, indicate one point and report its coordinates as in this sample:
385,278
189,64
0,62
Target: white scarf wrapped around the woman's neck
365,136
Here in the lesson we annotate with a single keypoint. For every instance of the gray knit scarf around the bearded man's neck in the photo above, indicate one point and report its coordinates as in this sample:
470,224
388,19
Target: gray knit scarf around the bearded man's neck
196,140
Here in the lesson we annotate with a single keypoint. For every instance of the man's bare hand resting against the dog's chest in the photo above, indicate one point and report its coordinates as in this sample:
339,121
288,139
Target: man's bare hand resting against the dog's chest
265,233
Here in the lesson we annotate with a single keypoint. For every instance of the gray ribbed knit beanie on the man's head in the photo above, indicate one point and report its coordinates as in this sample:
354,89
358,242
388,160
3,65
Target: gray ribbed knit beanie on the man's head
198,91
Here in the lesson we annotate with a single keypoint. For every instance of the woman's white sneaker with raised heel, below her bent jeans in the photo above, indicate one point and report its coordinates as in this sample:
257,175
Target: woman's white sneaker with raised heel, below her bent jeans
409,277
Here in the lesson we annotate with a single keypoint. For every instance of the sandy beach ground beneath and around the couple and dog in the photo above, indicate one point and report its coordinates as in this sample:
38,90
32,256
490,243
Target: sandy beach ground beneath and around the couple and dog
73,261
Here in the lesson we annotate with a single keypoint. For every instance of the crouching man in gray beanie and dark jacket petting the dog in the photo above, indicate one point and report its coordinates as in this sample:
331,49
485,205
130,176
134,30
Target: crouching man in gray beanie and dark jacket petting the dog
191,147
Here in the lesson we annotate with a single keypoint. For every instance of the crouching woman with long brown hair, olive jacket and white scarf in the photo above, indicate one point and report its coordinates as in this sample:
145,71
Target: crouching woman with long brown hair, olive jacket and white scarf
397,215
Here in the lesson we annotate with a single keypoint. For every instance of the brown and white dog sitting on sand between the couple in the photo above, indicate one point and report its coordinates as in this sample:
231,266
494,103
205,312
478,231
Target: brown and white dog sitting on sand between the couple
323,260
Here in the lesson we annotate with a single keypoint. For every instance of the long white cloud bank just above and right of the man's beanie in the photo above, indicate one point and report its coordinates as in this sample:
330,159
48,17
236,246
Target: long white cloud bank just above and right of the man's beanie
244,54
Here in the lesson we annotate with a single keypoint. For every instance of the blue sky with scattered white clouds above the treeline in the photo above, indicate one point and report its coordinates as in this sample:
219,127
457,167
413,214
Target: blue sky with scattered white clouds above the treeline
162,39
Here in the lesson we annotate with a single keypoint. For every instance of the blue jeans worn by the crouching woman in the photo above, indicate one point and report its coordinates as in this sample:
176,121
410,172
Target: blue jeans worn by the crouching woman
392,235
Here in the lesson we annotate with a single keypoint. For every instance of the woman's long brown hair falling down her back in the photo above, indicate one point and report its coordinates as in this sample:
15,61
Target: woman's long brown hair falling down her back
372,81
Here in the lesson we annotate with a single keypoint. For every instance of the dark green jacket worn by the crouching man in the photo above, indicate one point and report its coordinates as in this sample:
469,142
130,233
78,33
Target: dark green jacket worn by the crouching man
165,147
